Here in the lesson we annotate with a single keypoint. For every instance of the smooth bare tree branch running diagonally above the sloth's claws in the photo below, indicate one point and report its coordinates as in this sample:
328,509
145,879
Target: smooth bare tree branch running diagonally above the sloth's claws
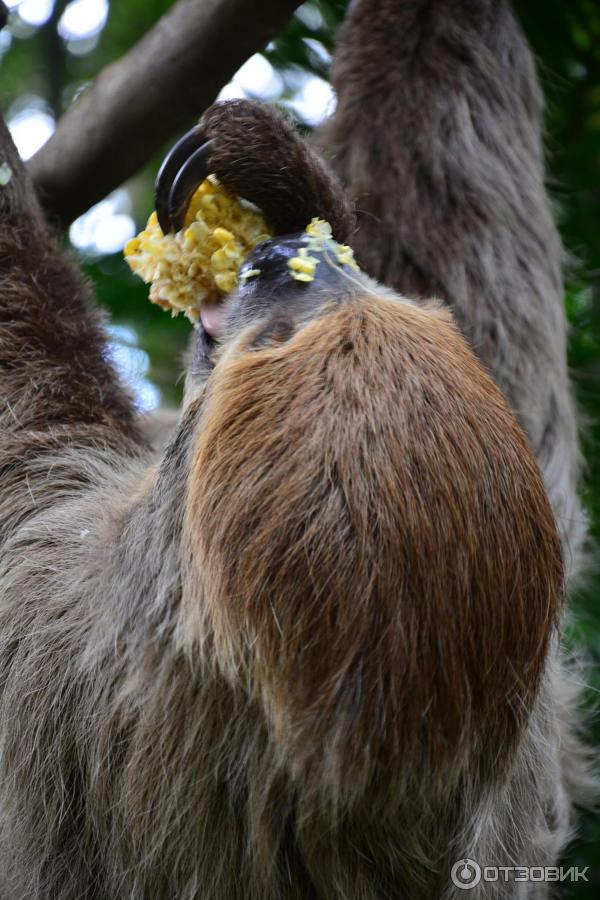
136,104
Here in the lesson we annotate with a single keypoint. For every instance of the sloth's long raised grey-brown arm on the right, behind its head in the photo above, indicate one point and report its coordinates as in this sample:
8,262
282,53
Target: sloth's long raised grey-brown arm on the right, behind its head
437,137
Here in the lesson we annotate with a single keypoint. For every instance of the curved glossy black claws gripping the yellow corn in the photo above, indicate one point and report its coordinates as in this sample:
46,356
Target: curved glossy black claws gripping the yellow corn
185,166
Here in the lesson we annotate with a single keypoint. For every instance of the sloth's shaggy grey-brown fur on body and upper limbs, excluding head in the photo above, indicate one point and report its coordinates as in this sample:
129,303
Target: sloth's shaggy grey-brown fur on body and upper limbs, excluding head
130,767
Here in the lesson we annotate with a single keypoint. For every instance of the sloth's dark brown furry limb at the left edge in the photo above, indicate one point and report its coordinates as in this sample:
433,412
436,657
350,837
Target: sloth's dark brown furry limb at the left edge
53,351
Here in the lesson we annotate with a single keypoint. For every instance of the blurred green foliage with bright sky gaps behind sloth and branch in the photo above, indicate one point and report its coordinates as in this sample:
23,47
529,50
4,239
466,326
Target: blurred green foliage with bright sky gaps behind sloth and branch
54,48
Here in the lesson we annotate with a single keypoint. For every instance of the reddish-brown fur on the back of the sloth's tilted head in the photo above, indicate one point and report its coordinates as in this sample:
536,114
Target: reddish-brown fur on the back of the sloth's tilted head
370,533
